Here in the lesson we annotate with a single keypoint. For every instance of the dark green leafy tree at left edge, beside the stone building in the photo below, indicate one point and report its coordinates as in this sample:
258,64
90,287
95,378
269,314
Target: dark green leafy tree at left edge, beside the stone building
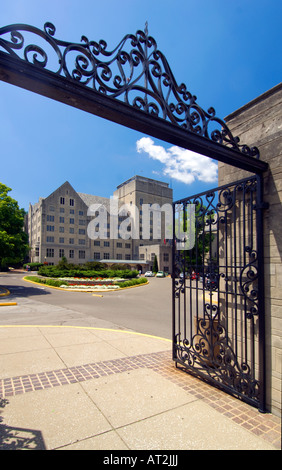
13,240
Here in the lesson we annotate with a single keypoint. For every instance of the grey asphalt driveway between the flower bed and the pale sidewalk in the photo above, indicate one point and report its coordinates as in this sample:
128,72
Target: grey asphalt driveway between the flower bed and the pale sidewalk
145,309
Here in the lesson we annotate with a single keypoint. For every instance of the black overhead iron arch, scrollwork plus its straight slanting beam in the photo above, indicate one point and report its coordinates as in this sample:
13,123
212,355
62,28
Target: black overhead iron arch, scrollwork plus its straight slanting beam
132,85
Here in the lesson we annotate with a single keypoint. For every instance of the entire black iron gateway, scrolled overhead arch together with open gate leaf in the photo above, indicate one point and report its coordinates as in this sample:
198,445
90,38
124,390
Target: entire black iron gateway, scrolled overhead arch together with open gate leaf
134,86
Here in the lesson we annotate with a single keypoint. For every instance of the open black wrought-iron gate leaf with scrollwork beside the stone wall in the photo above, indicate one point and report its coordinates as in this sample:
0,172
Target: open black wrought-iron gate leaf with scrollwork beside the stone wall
218,302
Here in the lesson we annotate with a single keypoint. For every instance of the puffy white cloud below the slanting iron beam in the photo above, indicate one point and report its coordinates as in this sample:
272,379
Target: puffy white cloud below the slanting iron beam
180,164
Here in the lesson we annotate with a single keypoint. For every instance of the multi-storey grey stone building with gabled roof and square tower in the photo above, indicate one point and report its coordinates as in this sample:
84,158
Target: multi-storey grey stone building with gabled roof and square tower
84,227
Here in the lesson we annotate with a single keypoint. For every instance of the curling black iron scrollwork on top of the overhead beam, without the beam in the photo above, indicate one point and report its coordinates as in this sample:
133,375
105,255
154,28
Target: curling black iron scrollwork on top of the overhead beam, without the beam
135,71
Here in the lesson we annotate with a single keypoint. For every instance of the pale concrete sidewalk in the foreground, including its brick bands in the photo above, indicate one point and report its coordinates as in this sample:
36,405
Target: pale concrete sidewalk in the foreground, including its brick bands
69,388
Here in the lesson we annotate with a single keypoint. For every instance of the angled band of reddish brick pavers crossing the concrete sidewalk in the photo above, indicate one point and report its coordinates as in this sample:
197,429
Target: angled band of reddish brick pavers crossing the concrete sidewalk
266,426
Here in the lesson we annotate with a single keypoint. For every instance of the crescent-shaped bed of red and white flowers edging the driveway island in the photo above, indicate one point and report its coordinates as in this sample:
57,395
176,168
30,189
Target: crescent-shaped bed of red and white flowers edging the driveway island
88,284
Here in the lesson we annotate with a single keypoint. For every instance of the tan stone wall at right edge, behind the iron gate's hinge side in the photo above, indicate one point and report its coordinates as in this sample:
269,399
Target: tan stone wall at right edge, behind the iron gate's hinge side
259,123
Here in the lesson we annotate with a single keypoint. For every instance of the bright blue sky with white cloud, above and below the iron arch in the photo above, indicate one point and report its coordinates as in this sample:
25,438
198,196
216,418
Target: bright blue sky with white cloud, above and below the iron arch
227,52
